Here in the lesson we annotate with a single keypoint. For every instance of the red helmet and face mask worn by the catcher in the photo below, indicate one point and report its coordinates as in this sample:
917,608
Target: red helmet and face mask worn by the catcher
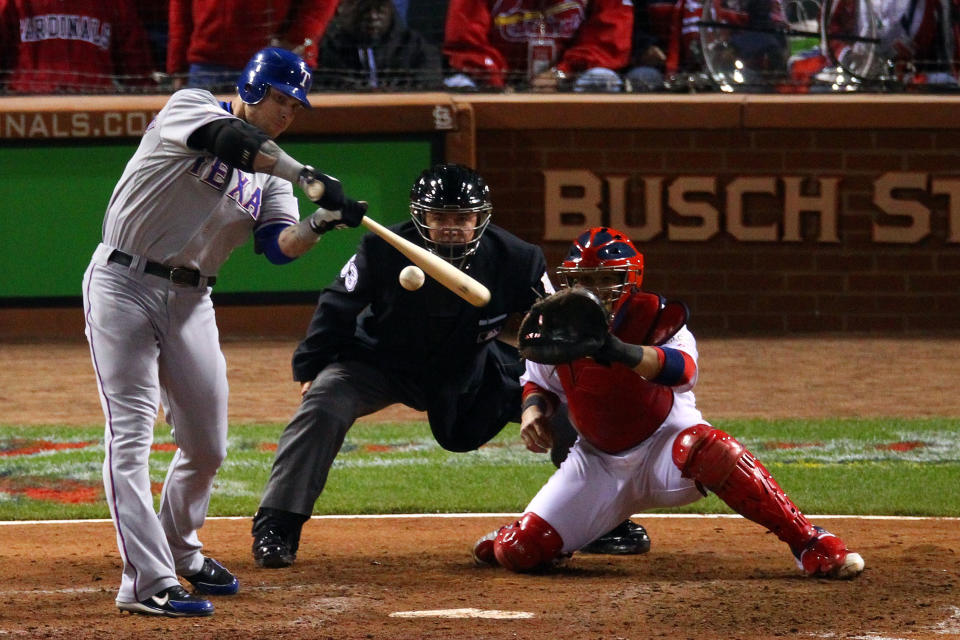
605,261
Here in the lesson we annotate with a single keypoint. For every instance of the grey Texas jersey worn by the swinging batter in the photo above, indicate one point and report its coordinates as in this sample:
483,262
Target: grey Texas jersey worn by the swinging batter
183,207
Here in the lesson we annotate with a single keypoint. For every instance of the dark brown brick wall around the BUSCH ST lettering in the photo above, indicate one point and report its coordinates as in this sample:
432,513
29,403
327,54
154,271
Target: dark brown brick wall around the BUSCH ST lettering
732,286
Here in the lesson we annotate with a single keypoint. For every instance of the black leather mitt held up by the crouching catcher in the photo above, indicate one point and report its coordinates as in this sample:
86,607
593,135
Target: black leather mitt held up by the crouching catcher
564,327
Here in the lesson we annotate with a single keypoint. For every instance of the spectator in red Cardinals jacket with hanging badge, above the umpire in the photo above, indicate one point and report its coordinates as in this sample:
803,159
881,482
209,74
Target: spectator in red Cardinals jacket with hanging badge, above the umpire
544,45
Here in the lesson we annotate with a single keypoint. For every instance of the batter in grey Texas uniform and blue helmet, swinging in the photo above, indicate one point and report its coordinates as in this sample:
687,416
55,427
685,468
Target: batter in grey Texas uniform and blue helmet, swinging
206,175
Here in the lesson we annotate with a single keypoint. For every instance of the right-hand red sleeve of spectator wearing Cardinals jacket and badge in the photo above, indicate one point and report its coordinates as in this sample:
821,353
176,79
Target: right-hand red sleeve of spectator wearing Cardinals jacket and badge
603,40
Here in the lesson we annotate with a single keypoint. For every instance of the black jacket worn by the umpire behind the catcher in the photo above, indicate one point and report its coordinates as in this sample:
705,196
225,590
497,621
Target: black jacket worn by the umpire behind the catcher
468,380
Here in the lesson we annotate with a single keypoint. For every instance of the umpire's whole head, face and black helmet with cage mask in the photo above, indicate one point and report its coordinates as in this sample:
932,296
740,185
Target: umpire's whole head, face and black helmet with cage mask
444,200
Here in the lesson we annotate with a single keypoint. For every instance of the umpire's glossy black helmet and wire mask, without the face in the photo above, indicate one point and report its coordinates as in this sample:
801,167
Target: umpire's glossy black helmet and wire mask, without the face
451,188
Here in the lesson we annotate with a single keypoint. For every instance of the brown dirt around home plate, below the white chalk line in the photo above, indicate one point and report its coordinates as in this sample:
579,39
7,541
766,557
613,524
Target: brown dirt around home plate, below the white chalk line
703,579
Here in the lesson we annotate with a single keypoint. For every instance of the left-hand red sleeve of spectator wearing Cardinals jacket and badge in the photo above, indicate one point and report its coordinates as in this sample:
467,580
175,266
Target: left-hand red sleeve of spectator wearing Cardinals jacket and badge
466,41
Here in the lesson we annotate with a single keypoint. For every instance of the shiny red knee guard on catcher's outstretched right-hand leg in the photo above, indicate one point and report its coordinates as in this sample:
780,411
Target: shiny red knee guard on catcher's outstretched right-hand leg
706,454
